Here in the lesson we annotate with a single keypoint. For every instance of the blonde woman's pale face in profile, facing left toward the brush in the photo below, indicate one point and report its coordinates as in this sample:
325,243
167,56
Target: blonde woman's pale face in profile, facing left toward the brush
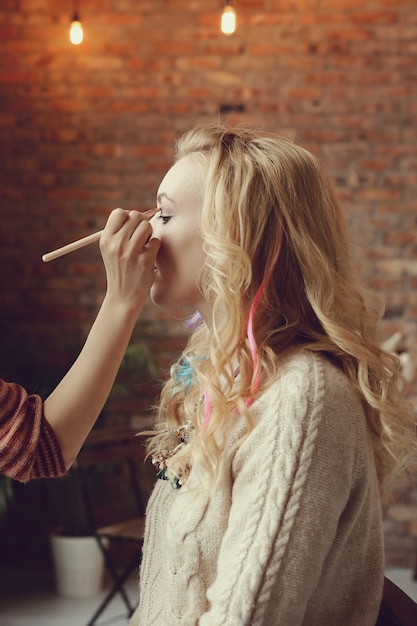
176,225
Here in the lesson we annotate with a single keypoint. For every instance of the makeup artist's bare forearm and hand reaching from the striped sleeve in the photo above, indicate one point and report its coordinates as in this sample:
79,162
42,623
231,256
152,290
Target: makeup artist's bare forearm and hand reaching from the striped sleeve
128,255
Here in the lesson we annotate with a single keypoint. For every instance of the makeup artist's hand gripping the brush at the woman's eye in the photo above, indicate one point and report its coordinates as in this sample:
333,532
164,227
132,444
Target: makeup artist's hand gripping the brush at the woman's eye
129,257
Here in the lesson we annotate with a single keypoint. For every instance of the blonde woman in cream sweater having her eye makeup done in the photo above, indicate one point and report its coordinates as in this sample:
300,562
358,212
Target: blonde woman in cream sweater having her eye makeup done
283,419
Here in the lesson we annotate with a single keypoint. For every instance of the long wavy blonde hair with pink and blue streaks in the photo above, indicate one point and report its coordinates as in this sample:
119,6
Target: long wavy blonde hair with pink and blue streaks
263,197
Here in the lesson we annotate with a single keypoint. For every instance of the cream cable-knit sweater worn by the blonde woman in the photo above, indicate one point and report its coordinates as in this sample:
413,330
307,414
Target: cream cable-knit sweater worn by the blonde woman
292,535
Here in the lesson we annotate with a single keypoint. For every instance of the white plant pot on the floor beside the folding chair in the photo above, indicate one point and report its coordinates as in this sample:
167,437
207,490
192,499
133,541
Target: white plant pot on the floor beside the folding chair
79,565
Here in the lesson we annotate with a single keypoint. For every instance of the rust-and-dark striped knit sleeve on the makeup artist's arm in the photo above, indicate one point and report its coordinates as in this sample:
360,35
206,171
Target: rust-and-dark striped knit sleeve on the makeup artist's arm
28,445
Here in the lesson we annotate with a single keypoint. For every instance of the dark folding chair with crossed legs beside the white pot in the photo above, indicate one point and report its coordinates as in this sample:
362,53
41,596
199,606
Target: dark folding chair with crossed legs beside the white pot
109,466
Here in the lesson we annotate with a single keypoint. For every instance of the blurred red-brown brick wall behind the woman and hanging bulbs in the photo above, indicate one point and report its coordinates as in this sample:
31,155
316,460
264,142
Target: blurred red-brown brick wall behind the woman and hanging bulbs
84,129
